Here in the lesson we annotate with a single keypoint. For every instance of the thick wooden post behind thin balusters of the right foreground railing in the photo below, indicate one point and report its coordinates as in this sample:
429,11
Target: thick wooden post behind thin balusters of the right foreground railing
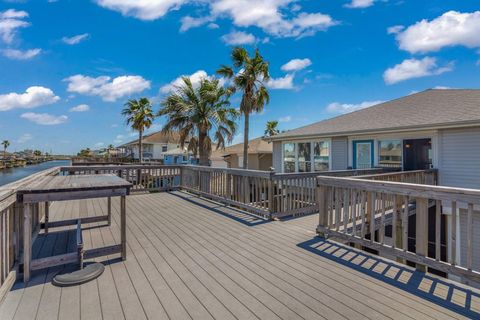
421,231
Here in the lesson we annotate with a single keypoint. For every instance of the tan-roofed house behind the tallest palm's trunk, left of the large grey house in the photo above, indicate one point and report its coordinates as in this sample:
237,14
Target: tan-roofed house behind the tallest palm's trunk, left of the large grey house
259,155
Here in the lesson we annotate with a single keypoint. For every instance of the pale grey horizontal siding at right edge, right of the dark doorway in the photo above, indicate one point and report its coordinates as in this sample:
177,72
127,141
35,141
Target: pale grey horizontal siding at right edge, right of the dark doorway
459,158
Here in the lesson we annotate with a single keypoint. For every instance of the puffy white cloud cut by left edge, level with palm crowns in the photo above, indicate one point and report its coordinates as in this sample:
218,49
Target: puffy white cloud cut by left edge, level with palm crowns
33,97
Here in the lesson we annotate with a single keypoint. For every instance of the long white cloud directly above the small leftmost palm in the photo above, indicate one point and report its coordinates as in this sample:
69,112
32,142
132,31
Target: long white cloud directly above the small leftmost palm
105,87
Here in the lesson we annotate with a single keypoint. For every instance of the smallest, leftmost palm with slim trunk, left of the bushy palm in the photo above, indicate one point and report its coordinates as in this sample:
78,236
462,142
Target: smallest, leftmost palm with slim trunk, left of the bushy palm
139,116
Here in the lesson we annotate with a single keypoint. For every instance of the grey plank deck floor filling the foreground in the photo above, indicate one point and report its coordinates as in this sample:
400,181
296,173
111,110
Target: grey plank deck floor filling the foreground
189,258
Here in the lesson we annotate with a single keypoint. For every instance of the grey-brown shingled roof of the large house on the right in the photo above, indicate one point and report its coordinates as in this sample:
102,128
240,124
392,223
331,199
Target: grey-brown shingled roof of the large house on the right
432,108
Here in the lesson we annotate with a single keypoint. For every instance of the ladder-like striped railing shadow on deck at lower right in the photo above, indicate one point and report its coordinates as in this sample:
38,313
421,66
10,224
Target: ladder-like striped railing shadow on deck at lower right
444,293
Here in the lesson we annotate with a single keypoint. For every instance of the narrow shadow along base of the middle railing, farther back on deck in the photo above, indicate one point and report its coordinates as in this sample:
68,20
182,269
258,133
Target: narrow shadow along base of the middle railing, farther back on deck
237,215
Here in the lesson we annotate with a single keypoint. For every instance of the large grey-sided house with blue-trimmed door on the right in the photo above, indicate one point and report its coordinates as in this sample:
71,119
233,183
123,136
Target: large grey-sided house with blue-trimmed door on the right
431,129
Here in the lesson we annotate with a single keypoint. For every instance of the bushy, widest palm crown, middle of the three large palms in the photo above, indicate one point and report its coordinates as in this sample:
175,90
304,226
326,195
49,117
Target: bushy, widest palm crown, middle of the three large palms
197,112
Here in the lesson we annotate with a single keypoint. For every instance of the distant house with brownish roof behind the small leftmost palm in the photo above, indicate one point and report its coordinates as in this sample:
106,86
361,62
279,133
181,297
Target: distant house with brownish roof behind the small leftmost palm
155,145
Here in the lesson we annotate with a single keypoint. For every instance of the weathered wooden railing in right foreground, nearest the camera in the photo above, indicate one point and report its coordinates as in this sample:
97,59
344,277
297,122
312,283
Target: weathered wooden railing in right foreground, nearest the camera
359,210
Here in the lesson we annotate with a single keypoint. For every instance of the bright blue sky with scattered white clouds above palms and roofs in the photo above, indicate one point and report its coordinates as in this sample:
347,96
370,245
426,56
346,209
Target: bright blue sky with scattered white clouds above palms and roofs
67,67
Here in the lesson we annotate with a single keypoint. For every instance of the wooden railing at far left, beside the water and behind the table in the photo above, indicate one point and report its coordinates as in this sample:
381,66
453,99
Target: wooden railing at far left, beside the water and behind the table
11,228
